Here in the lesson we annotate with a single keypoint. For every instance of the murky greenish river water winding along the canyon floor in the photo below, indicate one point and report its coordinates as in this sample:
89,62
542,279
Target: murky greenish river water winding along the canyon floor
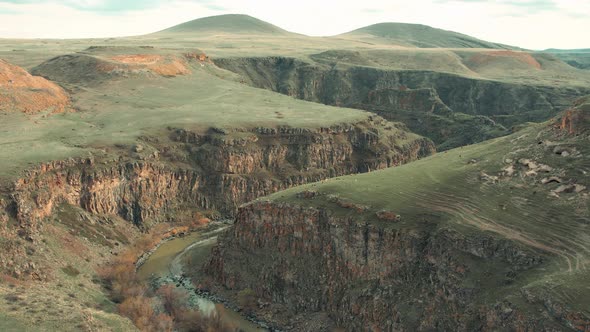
167,261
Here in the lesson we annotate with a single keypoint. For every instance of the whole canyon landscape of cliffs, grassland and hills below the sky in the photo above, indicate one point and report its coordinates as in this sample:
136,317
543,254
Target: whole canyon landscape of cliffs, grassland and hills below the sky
324,157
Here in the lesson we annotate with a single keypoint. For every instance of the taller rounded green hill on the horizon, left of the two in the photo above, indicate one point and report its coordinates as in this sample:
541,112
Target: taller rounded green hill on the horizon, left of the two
232,23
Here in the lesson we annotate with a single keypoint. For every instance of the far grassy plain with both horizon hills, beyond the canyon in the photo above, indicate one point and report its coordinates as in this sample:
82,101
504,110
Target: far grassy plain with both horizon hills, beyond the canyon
244,36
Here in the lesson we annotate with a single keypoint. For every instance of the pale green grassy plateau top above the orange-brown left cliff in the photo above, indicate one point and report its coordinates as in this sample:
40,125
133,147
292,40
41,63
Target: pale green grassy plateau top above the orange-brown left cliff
127,107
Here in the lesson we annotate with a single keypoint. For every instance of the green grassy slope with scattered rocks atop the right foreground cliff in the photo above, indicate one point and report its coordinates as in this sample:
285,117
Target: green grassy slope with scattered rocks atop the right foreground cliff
491,188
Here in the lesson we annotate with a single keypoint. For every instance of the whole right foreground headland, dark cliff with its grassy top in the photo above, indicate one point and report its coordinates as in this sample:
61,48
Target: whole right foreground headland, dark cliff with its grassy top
484,238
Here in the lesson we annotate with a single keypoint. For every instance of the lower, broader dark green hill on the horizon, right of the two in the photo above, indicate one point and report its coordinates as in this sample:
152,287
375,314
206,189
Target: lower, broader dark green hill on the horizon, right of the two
422,36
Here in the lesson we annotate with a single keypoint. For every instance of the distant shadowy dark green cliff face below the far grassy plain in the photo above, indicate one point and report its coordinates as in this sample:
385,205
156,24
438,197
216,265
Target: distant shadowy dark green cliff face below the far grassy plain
489,106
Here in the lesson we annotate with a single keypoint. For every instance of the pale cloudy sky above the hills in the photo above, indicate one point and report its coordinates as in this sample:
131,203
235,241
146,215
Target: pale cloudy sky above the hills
532,24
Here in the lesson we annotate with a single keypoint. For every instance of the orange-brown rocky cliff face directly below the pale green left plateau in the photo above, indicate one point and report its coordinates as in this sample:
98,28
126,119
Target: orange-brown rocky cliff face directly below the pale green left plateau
217,171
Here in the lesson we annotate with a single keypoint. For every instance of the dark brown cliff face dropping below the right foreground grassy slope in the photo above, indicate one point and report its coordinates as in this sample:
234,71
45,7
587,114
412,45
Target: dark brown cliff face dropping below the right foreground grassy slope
371,277
